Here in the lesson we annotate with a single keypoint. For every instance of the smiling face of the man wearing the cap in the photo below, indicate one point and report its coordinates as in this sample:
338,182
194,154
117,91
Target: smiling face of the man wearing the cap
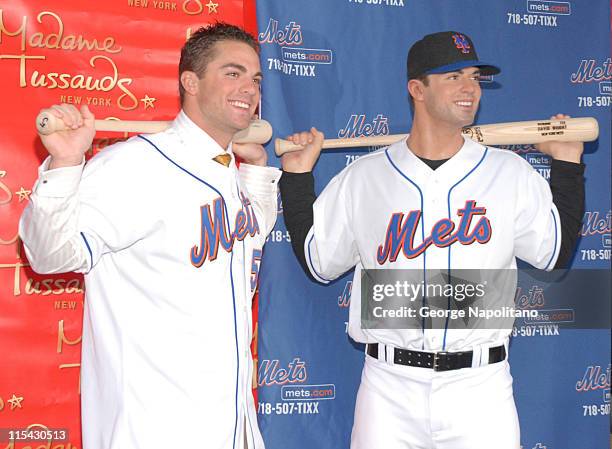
449,99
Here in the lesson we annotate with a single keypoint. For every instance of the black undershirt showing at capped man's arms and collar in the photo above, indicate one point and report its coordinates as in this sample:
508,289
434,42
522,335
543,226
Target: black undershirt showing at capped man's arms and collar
566,185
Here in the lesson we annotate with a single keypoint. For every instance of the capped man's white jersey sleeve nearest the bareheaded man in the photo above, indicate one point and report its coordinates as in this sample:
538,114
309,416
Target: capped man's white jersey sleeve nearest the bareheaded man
330,247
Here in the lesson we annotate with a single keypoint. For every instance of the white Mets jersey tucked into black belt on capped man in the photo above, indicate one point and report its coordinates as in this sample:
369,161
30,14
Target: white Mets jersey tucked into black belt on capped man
390,210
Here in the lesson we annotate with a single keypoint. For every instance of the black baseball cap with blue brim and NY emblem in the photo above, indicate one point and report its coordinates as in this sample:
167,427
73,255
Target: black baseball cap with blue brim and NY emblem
444,52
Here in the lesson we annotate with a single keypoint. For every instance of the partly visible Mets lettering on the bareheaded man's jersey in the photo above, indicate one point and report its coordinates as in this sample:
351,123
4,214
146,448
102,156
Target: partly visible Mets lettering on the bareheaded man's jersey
214,230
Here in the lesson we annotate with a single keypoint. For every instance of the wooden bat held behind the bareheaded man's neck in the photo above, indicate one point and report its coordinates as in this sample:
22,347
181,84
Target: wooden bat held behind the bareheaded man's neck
259,131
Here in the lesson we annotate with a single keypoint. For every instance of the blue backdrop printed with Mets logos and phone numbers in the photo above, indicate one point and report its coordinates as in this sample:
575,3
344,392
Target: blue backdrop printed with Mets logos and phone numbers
341,66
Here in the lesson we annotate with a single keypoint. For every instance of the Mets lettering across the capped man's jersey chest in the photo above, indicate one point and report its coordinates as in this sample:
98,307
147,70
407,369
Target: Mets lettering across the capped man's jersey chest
402,230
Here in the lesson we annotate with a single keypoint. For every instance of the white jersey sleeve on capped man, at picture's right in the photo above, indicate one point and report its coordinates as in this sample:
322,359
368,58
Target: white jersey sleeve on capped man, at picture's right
537,226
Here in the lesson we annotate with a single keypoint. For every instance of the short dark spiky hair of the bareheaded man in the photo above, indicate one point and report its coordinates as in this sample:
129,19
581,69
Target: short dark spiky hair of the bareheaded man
200,47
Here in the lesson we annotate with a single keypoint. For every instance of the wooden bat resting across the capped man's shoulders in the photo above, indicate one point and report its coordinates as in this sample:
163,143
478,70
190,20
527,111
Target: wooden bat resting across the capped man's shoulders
582,129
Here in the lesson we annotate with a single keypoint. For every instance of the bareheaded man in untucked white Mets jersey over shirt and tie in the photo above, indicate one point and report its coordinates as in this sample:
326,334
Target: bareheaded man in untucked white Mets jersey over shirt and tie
169,237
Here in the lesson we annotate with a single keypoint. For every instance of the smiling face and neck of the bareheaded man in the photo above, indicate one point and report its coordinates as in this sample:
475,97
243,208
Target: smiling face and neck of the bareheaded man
223,99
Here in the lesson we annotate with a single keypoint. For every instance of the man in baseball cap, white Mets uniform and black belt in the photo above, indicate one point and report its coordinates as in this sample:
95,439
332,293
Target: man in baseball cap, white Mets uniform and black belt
434,388
